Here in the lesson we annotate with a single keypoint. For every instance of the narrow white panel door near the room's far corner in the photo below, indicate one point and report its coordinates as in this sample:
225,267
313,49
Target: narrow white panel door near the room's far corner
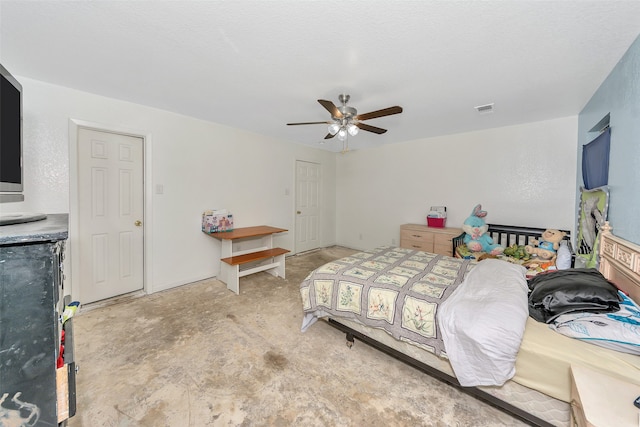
307,206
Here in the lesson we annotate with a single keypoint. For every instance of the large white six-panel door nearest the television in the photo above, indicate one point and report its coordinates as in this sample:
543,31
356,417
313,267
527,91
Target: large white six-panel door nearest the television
110,205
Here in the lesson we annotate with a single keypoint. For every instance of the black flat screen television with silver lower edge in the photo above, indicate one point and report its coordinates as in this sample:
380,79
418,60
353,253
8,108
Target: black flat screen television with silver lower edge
11,173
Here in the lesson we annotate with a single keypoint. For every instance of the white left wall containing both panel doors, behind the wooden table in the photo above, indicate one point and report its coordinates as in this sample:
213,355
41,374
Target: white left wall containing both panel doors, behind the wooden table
201,165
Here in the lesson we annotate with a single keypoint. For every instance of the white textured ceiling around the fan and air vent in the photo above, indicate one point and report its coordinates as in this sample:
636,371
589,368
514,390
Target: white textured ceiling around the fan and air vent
258,65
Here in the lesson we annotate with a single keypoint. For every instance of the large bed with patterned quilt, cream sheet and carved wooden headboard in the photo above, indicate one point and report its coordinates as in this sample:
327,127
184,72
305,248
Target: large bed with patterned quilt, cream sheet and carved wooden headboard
538,392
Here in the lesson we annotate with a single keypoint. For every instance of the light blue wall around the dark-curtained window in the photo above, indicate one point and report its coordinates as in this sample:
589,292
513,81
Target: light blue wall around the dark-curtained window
619,95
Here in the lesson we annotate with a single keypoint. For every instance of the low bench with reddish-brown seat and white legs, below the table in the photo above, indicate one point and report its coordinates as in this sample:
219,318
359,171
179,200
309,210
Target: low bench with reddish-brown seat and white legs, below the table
231,265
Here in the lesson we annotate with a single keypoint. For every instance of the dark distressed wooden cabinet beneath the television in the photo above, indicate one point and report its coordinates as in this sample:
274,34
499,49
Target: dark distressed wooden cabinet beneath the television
31,304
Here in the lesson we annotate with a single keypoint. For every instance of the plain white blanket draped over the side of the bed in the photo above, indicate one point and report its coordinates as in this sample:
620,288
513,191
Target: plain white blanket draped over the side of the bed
483,321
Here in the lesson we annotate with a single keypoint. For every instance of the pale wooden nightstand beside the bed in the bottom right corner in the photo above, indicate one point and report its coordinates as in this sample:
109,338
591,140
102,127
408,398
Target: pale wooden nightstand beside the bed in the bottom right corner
600,400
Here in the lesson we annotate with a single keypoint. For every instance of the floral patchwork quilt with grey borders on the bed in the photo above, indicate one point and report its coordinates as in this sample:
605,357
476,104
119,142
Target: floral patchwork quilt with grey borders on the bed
391,288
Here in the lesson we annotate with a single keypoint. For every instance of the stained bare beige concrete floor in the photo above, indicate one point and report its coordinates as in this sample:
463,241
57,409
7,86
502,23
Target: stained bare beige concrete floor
199,355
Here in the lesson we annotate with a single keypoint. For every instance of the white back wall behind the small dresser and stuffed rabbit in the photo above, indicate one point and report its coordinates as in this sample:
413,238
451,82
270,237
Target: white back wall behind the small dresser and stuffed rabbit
522,175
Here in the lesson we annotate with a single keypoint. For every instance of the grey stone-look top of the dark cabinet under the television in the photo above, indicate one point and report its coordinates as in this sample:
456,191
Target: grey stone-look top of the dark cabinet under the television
55,227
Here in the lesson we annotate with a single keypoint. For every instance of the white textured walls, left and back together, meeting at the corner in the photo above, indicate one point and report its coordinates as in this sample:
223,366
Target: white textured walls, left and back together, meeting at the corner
522,175
